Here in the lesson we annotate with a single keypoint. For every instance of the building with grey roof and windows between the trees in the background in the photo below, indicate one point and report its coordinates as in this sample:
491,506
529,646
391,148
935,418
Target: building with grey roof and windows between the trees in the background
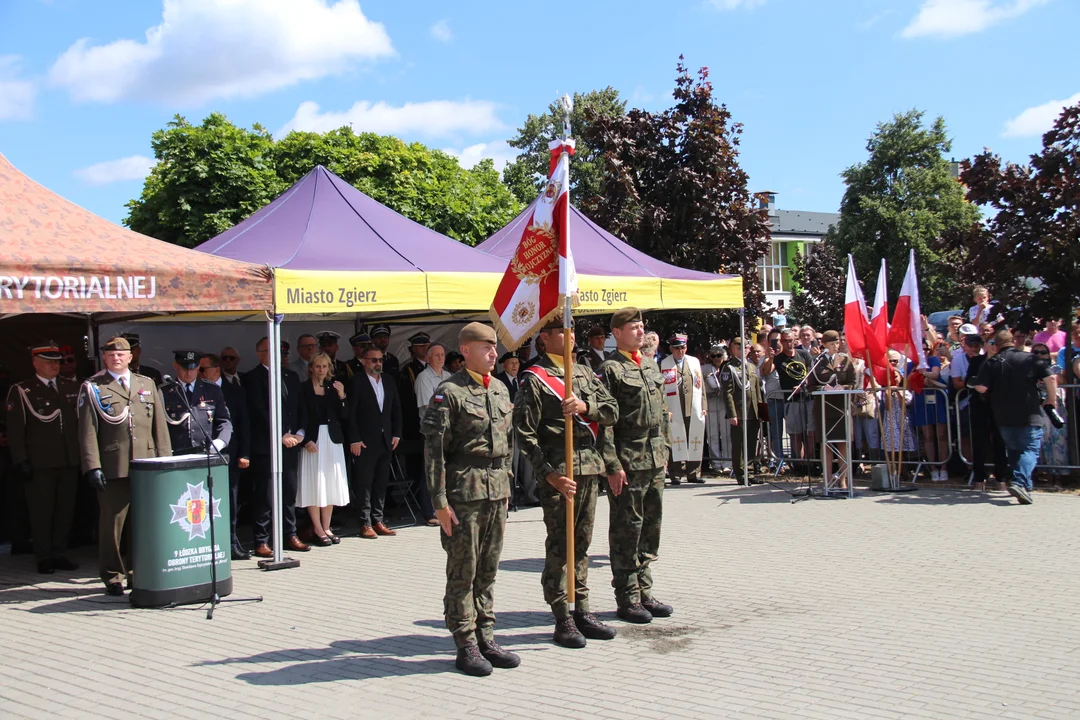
793,232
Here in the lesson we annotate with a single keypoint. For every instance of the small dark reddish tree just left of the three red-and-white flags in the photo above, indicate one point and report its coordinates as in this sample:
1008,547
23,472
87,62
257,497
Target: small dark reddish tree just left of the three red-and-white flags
819,287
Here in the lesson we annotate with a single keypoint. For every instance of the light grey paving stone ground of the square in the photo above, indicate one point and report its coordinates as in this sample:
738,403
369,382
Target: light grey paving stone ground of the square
941,604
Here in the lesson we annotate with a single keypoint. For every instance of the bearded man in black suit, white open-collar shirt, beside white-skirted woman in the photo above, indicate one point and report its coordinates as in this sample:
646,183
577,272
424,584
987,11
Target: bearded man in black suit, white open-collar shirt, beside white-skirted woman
374,429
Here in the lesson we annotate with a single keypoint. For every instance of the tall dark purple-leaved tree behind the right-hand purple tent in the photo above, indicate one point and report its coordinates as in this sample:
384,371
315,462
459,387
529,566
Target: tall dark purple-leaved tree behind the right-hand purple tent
673,188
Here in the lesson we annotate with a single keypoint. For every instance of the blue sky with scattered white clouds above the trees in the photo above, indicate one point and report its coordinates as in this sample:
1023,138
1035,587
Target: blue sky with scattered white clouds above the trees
84,84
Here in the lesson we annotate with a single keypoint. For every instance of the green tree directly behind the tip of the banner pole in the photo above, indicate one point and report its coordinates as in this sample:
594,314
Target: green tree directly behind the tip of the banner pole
525,175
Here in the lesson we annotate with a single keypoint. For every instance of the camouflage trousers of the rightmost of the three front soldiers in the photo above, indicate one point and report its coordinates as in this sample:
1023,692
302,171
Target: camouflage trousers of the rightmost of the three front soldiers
634,535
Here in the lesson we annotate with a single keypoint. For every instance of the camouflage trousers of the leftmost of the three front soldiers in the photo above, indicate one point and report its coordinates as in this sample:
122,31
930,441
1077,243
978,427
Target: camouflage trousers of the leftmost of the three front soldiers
472,561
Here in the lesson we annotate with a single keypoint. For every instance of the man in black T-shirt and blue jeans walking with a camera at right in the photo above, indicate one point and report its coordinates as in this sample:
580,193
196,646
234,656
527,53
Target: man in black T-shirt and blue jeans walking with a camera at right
1012,378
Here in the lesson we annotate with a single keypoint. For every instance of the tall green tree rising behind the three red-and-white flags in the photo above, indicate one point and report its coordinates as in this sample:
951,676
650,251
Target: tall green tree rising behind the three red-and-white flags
904,197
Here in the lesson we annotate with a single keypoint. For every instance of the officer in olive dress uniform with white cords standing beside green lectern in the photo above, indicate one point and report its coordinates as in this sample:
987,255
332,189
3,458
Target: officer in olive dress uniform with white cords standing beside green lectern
121,418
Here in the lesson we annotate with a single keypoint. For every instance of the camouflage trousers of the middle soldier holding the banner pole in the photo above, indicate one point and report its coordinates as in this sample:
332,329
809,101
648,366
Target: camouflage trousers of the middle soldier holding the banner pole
553,578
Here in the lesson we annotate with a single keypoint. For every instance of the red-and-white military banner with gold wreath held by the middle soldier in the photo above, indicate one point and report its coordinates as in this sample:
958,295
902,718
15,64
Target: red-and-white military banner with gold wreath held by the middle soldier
542,275
